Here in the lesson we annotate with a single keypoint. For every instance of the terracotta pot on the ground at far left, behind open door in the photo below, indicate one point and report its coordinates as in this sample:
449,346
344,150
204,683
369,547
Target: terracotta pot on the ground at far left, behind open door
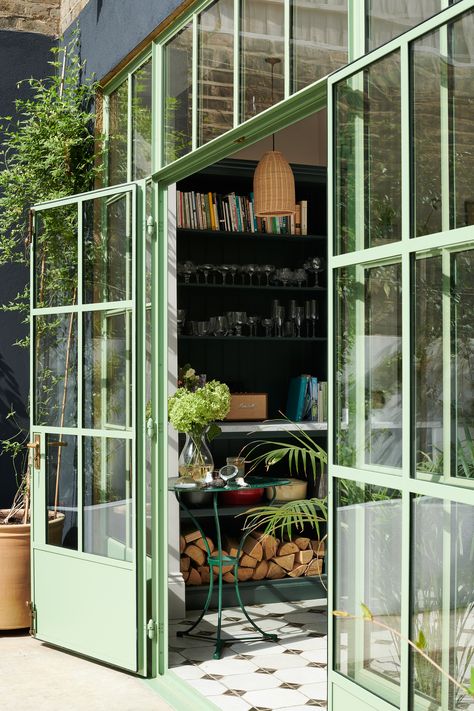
15,590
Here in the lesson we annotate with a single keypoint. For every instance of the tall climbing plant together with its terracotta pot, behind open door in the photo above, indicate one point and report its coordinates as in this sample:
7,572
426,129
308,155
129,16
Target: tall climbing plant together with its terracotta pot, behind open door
49,152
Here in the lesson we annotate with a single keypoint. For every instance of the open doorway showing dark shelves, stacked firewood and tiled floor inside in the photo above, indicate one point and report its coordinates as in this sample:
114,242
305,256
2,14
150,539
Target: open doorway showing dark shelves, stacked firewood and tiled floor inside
265,272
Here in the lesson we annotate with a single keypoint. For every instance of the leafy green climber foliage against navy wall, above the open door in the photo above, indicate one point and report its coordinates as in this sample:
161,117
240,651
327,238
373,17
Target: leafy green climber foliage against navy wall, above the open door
48,152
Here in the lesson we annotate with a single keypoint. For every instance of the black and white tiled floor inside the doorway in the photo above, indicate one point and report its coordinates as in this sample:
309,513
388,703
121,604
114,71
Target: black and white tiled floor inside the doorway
288,675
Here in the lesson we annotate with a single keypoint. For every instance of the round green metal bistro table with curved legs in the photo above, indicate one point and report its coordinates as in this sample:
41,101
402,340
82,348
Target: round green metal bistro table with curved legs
219,561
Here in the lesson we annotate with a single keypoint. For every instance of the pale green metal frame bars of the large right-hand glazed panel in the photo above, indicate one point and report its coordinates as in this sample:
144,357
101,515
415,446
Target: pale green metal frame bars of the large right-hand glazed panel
343,692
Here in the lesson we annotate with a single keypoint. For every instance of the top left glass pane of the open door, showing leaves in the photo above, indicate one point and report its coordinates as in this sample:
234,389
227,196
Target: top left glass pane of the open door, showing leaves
56,257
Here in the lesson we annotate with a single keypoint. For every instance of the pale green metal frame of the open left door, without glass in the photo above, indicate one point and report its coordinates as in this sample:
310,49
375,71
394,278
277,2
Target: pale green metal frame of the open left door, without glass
137,567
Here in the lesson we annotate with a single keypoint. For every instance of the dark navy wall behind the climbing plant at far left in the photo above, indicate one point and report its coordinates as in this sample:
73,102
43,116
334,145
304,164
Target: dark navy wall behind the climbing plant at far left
22,55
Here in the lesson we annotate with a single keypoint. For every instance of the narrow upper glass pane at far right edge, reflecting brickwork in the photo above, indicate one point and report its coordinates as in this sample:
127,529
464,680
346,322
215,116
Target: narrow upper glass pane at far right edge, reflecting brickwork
461,69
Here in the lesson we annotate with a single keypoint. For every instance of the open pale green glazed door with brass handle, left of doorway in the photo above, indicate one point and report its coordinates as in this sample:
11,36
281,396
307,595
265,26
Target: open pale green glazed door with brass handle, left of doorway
87,485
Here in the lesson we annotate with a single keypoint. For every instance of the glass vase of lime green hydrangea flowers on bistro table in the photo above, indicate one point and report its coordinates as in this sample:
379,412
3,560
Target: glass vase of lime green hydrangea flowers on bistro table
193,410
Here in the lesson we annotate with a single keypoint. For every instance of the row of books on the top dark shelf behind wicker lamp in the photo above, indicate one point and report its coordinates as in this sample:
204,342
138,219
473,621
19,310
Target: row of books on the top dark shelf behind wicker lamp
234,213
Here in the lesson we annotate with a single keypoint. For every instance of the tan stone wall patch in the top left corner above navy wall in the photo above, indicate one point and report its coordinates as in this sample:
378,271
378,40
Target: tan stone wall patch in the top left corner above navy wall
38,16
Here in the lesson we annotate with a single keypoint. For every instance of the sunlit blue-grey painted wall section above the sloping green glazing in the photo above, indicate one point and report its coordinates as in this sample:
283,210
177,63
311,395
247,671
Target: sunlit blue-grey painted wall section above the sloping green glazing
110,29
